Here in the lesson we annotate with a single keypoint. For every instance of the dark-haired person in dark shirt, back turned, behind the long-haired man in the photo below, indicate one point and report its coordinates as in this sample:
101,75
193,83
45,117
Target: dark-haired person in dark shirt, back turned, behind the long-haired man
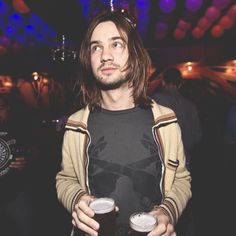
169,95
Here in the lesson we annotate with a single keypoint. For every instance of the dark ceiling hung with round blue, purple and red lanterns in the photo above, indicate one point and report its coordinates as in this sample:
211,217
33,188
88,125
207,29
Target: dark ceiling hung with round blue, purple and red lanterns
162,24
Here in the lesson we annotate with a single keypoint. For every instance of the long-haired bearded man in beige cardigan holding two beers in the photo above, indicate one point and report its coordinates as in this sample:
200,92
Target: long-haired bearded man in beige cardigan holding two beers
121,144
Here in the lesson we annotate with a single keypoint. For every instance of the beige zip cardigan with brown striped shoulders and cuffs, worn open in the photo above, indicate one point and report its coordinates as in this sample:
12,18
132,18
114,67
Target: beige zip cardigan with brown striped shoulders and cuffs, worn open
72,179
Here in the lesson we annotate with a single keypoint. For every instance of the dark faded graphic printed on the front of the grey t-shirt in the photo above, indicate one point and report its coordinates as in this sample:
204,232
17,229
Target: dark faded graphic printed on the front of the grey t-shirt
140,175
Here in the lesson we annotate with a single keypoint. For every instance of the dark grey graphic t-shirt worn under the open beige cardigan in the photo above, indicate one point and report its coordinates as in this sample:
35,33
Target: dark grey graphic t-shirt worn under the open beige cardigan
124,161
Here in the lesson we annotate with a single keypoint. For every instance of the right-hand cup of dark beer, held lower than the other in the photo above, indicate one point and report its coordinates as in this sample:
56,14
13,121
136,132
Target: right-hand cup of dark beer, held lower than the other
141,223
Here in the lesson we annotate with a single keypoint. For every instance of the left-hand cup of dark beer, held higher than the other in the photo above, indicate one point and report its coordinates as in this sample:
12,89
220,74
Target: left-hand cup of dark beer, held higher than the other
105,215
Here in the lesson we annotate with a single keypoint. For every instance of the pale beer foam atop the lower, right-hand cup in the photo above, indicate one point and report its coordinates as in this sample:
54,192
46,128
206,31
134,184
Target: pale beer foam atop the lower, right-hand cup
142,222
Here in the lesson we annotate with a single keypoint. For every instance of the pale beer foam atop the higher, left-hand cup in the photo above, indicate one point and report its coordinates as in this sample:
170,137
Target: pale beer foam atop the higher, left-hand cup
102,205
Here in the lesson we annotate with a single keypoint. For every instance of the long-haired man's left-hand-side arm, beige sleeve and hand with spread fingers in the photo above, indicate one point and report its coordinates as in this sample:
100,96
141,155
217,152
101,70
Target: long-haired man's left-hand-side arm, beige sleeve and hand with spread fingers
70,185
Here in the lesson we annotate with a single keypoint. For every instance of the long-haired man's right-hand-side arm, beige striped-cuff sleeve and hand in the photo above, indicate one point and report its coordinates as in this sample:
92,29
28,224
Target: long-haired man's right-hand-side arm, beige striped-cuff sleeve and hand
176,183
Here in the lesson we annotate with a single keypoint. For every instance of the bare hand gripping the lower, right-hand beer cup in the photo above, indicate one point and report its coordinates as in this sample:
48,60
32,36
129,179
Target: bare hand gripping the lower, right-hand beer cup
164,227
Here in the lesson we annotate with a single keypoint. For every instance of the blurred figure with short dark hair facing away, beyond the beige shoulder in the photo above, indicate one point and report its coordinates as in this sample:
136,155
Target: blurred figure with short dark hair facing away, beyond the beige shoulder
169,95
